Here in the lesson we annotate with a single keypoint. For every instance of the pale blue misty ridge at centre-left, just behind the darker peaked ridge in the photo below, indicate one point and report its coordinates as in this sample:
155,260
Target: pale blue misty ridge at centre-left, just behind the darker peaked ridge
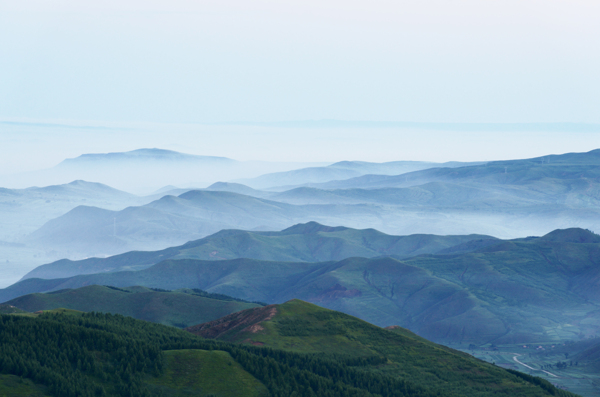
175,220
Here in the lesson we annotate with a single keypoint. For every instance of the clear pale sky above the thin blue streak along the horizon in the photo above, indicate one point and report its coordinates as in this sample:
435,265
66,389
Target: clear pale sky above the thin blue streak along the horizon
248,60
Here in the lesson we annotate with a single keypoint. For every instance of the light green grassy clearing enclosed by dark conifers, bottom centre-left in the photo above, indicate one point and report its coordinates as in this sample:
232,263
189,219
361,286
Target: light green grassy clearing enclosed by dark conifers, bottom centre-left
202,373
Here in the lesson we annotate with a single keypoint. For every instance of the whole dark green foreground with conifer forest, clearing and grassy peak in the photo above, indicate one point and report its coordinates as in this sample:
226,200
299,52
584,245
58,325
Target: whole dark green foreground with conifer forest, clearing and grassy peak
79,354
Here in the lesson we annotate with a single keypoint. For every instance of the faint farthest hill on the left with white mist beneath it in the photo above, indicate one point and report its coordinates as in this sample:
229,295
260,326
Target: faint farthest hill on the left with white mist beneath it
143,171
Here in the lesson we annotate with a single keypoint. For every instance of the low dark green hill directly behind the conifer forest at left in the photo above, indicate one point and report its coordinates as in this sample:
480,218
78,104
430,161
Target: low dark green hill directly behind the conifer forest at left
179,308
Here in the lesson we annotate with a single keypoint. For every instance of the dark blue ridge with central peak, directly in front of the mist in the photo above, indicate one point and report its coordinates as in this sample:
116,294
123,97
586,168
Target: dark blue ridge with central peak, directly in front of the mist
310,242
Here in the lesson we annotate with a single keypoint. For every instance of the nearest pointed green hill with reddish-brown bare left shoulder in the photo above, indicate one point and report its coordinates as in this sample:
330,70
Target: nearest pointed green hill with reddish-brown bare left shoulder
305,328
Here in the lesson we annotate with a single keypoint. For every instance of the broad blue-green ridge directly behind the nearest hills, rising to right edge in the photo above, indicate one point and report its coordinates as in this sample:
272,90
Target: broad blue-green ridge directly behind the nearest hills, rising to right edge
535,289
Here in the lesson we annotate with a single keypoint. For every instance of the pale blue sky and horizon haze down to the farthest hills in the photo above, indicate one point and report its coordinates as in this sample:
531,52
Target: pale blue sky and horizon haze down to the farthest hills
196,77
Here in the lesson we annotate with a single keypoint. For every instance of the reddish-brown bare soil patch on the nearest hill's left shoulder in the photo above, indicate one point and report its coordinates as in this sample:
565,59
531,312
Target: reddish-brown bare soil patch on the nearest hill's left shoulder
235,324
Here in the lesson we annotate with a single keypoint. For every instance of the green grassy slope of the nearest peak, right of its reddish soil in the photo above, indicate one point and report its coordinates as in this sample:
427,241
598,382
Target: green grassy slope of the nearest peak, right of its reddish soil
303,327
